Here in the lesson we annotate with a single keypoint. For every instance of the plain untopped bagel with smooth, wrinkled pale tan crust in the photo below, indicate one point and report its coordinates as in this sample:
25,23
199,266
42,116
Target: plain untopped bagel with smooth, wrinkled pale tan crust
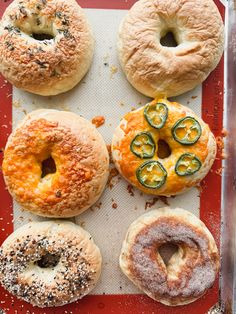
157,70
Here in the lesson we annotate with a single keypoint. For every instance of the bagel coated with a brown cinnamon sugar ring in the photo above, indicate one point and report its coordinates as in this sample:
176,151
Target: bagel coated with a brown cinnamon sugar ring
190,271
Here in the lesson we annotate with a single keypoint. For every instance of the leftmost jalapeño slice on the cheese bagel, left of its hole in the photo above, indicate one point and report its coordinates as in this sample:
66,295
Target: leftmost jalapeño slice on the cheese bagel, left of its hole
143,145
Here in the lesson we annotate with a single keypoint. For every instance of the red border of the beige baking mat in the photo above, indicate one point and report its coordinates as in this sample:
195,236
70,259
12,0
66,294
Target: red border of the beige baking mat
210,199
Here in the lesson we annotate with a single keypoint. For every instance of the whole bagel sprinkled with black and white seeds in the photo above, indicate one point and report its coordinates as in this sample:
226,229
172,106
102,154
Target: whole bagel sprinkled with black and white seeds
49,263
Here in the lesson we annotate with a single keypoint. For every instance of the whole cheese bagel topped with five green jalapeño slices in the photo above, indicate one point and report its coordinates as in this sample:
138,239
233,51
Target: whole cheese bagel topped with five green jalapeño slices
163,148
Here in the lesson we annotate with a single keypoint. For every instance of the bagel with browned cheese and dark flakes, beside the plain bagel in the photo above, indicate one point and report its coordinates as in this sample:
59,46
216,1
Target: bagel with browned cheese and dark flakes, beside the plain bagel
46,47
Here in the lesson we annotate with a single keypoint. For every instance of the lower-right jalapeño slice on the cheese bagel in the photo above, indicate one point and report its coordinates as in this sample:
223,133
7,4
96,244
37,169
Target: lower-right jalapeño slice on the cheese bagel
187,164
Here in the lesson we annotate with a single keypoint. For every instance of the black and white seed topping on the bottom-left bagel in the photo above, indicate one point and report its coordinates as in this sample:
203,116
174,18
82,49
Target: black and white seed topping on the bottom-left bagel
72,279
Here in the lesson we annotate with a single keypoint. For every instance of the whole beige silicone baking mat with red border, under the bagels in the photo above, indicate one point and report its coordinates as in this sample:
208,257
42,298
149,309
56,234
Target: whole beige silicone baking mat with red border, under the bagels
104,91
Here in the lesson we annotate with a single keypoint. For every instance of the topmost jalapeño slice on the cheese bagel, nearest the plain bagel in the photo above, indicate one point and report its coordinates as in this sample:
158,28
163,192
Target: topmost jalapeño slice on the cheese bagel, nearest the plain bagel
156,115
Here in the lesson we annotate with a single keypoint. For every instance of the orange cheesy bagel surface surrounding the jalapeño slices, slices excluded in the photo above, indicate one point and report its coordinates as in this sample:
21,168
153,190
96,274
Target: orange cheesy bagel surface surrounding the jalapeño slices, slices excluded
127,163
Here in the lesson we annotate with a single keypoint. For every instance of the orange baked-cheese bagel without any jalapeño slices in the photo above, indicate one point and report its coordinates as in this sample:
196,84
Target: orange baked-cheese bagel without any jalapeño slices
55,163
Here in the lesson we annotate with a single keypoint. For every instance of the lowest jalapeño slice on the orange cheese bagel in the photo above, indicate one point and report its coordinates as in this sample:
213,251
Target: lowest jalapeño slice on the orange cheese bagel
151,174
